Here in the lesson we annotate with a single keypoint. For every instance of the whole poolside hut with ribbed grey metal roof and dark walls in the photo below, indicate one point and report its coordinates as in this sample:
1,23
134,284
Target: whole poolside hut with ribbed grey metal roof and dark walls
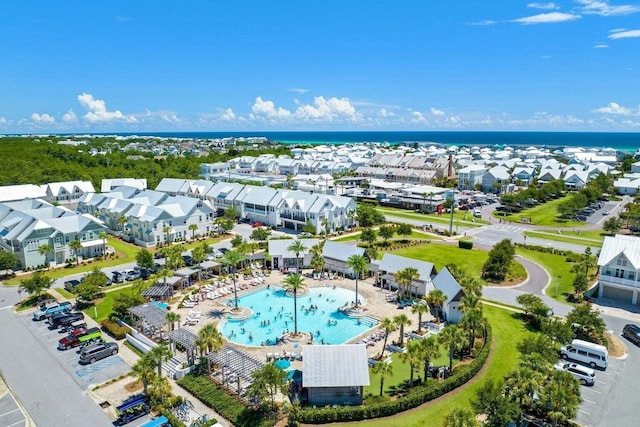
335,374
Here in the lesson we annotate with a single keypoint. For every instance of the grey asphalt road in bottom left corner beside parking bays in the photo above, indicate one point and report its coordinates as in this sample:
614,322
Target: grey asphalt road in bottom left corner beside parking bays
47,391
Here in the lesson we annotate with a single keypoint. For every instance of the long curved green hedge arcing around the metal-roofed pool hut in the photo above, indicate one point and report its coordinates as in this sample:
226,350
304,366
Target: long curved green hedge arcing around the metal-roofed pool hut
416,396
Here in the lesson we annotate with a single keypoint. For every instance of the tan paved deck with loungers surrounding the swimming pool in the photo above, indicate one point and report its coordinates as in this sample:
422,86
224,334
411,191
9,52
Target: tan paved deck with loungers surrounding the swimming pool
377,307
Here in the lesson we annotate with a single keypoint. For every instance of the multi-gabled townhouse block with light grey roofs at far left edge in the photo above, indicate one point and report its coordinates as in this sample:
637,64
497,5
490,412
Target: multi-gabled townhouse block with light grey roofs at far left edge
27,225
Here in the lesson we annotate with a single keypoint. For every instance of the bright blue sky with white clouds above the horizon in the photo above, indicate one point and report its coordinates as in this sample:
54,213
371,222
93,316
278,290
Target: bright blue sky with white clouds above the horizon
143,66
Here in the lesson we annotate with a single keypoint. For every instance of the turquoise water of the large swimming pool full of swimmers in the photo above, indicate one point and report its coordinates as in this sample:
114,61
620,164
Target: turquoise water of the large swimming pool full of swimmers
273,315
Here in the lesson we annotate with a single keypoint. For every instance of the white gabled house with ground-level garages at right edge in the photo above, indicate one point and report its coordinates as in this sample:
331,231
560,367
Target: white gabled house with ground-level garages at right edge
619,264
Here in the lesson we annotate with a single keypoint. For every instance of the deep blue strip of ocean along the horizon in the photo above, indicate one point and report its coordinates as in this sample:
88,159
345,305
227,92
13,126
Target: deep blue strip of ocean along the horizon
628,141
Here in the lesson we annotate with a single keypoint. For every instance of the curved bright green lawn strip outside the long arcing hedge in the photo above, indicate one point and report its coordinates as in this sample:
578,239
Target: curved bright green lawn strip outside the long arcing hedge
507,332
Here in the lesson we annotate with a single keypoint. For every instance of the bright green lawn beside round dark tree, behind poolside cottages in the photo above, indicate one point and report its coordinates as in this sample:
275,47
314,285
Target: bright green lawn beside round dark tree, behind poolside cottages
470,260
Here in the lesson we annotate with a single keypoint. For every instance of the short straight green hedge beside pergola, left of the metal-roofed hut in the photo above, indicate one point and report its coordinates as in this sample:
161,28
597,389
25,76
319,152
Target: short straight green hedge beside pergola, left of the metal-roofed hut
224,404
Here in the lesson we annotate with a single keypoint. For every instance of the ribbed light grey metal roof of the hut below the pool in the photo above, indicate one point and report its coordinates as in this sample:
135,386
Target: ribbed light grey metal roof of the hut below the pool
335,365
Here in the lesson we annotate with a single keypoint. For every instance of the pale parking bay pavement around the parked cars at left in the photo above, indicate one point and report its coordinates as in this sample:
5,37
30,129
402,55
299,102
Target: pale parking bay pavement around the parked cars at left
84,375
